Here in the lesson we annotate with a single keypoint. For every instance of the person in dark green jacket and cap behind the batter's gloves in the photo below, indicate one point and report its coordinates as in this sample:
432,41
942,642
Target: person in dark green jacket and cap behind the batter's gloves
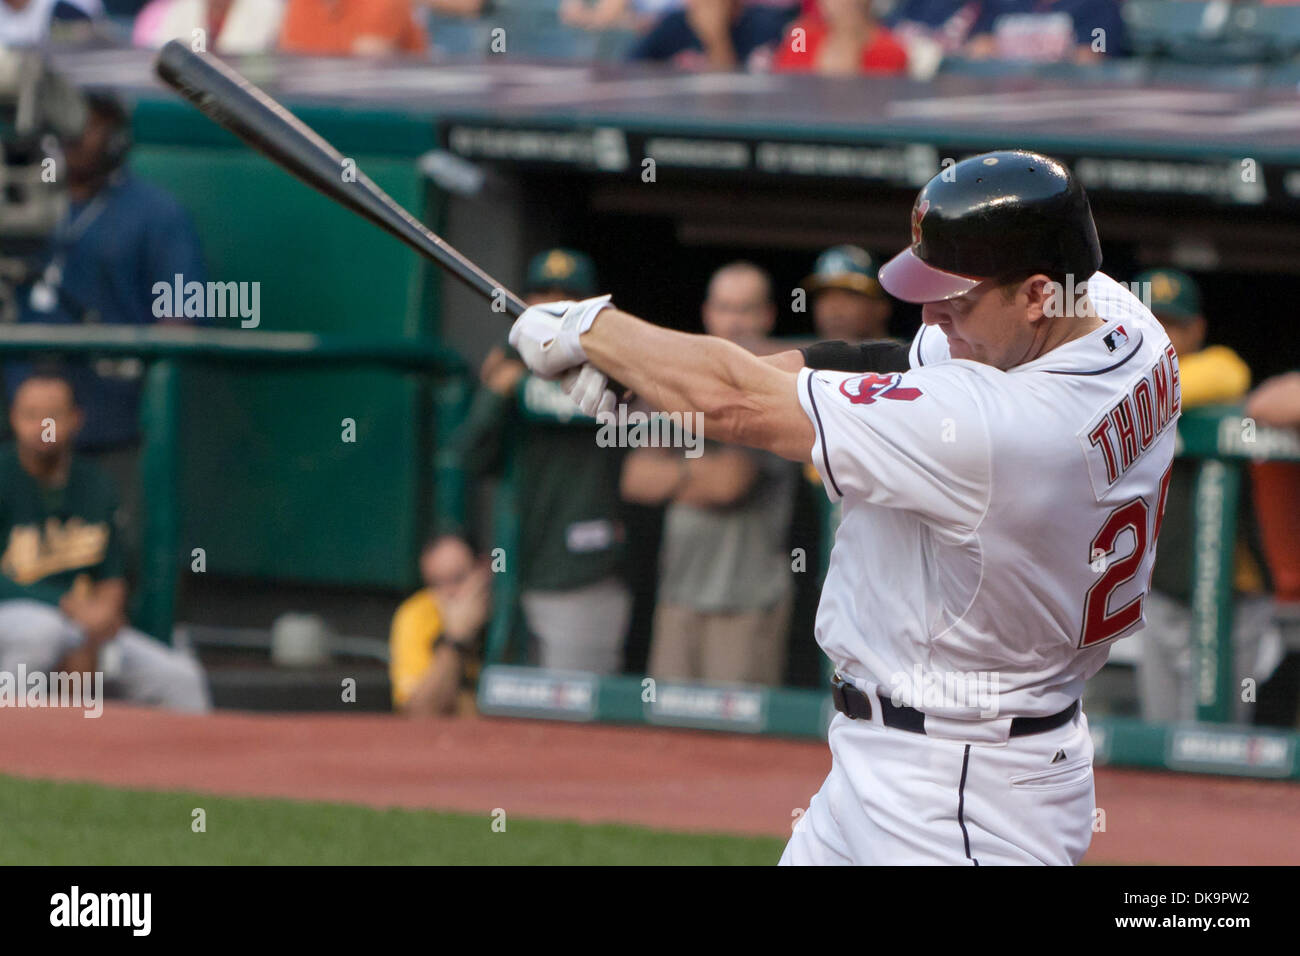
575,602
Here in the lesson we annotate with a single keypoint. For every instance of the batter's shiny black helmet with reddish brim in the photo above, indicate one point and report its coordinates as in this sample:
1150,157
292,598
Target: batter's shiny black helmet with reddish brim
994,215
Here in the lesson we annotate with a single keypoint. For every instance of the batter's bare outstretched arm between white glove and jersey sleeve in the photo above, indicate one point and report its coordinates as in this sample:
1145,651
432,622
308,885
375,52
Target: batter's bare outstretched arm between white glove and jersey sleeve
681,373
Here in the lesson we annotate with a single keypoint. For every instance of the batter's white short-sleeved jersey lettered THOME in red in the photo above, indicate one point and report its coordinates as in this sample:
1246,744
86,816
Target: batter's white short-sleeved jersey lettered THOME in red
995,524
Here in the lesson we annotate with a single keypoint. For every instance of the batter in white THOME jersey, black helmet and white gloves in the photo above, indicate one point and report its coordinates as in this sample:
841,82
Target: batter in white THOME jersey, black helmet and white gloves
1002,503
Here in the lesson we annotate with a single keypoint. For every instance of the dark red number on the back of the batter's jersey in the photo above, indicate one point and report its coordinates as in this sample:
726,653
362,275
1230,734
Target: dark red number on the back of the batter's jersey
1099,624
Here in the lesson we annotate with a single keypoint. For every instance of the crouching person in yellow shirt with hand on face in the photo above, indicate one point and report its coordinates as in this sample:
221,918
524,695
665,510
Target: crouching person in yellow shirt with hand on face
435,643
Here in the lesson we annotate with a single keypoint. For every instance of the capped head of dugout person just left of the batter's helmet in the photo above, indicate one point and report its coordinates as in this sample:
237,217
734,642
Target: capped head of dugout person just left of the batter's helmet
848,304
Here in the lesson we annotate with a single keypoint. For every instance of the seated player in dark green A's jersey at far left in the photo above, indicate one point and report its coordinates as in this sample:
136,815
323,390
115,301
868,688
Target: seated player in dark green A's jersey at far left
63,592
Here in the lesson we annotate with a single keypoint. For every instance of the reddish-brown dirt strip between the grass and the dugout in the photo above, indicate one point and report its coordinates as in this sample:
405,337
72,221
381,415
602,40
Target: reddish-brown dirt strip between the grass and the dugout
661,778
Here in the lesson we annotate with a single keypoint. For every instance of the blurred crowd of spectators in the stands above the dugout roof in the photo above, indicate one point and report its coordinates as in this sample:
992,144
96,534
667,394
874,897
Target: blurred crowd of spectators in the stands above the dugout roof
827,37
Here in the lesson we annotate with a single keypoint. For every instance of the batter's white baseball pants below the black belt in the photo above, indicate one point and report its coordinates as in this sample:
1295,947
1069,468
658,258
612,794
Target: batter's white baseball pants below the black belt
898,798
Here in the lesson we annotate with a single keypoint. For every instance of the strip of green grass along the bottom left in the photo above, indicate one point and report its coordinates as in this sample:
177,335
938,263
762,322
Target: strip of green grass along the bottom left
79,824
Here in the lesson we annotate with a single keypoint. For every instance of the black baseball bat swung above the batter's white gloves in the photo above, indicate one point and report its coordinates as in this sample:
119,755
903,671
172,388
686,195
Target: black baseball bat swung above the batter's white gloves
236,105
